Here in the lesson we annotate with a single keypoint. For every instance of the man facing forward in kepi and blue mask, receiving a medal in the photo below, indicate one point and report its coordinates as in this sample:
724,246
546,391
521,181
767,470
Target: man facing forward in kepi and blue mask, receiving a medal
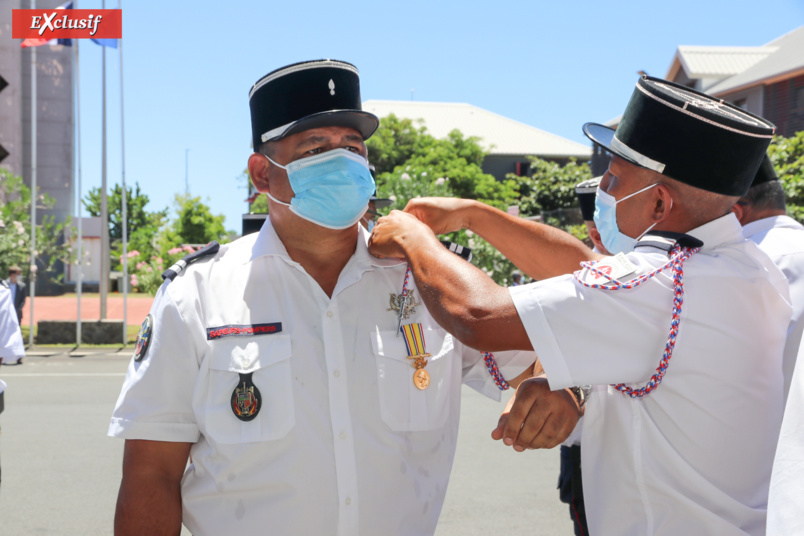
308,385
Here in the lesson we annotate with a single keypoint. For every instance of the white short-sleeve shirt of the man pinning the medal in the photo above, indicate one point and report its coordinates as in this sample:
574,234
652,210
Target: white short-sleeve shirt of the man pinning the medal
694,456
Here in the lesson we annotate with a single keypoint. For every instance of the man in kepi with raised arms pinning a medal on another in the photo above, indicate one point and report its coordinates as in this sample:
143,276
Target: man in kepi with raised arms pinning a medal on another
693,326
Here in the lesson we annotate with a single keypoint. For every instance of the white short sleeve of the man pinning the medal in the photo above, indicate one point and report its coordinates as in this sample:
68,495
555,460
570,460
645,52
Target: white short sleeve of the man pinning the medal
579,332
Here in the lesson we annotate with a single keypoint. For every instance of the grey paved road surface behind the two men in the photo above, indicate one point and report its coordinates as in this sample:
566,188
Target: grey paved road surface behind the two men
61,472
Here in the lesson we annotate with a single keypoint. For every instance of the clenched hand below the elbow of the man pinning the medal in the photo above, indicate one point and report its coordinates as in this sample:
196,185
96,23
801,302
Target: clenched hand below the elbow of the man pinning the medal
537,417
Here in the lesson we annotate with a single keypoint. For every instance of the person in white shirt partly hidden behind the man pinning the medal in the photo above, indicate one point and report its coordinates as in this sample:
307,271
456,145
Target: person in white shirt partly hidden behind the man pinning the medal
763,214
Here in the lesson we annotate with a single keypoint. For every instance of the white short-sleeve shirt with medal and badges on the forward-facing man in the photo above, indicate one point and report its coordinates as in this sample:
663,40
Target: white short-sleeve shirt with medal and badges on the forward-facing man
344,442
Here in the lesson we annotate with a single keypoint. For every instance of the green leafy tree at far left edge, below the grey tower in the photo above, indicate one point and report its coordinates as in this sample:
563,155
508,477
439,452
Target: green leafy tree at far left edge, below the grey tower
15,234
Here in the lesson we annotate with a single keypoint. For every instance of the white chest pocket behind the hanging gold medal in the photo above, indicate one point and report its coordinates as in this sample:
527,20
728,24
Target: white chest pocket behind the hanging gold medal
404,407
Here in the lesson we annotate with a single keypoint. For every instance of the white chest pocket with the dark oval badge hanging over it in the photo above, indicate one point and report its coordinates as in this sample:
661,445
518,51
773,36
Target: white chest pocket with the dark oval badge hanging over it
267,359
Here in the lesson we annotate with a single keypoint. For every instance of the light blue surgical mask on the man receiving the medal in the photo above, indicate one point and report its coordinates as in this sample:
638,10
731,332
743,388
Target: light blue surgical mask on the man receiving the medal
330,189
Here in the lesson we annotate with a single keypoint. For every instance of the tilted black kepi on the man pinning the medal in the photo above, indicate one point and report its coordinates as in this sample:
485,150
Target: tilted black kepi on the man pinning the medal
688,136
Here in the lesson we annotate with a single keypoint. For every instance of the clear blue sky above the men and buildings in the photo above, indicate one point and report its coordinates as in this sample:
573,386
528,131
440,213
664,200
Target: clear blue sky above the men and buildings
188,67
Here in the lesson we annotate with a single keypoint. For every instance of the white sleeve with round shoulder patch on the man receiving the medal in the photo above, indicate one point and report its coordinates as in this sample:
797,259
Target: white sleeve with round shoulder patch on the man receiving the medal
156,399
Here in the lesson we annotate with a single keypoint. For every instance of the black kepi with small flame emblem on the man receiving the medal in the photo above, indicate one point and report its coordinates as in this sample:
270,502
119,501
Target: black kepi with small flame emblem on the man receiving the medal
311,94
